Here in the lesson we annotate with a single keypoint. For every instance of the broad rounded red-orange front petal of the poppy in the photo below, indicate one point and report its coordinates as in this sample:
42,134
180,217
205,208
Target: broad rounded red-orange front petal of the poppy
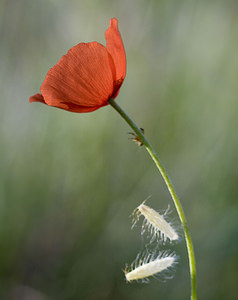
82,78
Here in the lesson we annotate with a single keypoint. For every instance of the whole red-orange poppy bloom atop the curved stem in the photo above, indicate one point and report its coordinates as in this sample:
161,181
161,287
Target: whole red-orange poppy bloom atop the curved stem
87,76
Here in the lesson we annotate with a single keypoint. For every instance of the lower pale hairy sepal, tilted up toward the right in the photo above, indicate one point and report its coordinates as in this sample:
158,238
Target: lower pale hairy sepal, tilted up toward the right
149,265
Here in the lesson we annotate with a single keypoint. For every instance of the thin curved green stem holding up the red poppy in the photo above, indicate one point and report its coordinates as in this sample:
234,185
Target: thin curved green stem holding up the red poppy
176,201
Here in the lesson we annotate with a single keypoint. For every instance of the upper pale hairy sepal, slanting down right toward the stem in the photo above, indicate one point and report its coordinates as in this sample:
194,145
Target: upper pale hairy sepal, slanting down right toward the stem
155,223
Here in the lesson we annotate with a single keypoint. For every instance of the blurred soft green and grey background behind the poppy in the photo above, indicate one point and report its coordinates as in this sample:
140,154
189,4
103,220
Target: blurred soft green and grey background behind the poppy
69,182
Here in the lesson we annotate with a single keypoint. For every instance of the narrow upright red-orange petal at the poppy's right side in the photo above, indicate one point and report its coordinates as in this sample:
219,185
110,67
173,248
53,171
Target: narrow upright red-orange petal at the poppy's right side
116,50
